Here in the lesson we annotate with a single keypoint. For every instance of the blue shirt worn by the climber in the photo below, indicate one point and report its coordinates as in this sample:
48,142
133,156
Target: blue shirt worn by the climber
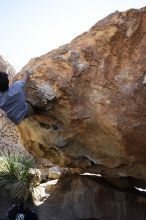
13,101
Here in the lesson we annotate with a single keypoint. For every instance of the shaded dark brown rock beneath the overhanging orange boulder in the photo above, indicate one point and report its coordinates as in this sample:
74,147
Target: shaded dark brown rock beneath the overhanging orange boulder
80,197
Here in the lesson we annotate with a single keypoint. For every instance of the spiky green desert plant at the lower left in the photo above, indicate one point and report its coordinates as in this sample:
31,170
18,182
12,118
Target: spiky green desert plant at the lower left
14,175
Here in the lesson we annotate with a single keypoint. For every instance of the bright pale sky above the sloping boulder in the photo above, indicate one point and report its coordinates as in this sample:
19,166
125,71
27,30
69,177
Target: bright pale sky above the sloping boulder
31,28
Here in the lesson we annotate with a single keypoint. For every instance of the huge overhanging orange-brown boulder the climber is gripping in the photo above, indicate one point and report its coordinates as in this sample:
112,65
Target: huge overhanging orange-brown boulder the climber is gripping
90,99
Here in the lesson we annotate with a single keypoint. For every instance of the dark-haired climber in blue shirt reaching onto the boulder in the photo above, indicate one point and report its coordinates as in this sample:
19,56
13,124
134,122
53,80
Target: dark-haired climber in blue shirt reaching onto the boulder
12,97
